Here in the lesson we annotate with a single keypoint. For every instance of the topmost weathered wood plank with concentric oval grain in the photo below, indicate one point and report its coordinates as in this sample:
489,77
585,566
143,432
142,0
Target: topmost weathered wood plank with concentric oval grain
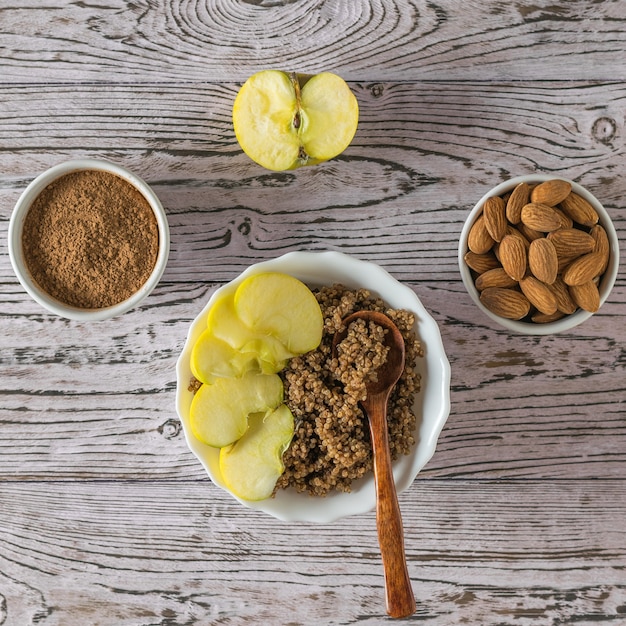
114,41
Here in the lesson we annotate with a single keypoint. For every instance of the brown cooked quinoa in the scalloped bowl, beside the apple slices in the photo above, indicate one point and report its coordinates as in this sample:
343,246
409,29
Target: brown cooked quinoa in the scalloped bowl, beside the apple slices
331,444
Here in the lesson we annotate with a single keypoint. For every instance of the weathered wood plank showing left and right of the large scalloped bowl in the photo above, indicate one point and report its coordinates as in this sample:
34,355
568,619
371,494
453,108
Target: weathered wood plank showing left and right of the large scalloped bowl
525,407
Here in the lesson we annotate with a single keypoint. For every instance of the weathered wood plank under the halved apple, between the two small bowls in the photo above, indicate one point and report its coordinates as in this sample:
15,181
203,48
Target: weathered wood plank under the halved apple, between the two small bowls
385,199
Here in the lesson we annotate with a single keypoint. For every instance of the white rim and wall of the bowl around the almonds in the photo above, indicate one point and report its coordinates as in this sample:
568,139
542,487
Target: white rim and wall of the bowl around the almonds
569,321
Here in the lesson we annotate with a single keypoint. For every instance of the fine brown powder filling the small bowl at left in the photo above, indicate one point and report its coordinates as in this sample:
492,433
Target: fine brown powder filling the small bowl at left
90,239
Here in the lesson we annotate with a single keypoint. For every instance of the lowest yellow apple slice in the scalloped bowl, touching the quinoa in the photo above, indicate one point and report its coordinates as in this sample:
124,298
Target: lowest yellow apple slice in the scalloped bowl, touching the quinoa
251,466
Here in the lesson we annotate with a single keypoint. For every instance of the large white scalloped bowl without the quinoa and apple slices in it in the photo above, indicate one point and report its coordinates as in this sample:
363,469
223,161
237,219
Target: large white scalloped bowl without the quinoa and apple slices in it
432,403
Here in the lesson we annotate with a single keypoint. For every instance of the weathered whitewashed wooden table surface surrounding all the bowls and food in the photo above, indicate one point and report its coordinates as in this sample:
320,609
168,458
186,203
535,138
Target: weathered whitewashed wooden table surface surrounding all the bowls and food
106,518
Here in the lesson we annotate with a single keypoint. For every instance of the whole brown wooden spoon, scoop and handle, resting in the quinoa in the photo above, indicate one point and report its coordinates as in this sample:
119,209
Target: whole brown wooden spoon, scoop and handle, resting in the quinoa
399,593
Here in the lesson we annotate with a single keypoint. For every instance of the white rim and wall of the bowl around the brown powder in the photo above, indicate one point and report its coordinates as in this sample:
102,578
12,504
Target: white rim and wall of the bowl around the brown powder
16,225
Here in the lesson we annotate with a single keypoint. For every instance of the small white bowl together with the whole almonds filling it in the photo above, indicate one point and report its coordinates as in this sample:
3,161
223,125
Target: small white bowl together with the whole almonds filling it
538,254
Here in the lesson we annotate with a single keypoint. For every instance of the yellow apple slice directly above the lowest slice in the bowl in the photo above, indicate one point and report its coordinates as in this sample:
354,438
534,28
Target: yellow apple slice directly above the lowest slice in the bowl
219,411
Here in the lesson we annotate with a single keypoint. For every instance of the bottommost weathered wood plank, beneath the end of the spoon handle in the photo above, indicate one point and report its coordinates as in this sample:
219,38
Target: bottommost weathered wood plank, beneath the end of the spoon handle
118,553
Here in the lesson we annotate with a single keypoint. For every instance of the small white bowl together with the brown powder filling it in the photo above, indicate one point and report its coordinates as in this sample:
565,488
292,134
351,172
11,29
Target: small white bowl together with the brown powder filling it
88,239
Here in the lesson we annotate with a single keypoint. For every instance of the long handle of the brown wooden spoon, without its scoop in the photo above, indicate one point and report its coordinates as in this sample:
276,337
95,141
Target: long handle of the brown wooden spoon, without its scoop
399,592
